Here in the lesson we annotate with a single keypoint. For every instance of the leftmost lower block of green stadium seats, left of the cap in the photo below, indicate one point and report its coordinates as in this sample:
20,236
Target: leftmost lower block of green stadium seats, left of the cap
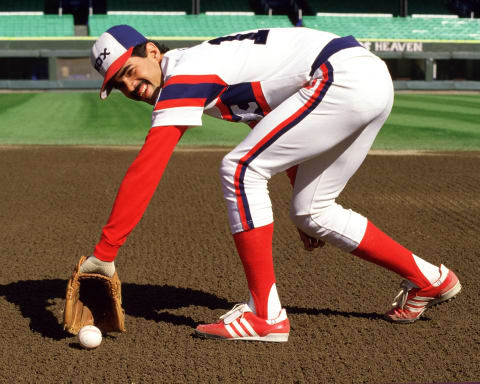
36,25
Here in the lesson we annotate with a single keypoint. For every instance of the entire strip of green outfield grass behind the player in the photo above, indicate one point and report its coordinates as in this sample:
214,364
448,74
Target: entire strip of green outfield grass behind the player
418,121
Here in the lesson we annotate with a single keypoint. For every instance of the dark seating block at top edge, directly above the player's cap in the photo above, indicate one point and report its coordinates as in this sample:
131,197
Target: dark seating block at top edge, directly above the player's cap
150,5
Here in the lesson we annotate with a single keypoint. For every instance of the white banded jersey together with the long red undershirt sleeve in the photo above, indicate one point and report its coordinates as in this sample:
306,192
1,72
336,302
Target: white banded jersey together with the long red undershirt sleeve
239,77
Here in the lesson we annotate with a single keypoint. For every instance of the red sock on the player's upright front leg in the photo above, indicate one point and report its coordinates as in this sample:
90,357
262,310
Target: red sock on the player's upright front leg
255,250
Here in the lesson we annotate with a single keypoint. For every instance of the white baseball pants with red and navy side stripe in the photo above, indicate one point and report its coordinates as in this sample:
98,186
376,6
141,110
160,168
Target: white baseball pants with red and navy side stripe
326,129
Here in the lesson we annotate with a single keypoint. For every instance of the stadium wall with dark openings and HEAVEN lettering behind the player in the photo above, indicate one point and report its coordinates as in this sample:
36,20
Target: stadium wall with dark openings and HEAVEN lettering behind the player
68,65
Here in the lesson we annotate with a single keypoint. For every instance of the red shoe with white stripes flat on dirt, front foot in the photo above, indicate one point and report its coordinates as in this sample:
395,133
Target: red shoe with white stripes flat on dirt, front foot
240,323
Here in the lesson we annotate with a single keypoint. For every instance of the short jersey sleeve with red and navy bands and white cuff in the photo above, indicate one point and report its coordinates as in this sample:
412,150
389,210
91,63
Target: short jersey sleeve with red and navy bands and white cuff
184,97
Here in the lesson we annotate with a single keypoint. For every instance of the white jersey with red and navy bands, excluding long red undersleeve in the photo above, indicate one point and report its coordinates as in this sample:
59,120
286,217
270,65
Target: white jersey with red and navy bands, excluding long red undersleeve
239,77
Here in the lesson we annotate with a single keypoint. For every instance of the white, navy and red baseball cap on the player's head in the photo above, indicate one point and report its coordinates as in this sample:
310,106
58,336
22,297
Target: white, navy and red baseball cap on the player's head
112,50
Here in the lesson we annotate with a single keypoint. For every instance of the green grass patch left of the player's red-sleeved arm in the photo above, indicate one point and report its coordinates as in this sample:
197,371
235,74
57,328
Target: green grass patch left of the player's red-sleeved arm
71,118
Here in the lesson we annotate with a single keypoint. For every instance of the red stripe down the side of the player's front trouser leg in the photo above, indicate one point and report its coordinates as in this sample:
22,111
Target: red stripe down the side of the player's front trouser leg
242,161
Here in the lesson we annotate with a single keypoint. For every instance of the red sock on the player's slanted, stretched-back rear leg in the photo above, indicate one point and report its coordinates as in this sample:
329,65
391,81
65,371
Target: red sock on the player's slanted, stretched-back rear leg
382,250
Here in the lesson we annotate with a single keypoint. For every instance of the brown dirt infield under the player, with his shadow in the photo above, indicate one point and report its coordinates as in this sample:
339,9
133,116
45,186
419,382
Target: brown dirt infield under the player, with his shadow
179,268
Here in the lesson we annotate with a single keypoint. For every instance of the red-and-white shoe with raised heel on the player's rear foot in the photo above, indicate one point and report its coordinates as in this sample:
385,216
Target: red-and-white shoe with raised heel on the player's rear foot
411,302
